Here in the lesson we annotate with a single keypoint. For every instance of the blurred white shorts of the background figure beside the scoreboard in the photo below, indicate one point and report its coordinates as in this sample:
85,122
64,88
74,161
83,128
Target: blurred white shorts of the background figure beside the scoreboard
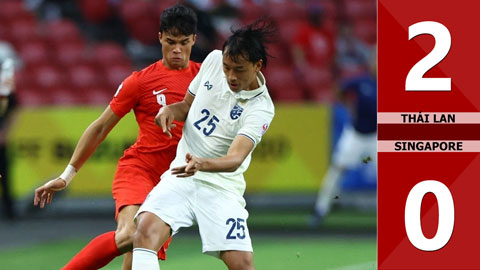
353,147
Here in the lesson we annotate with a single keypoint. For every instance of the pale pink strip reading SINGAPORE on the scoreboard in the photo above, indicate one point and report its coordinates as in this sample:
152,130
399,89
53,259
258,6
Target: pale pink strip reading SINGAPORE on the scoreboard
428,146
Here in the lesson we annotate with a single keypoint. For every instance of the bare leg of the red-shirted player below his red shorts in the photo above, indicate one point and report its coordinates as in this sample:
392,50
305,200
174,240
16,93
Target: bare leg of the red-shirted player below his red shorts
124,233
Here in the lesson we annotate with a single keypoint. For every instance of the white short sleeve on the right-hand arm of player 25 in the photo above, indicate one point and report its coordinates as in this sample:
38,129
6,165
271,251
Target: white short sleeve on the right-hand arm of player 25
255,124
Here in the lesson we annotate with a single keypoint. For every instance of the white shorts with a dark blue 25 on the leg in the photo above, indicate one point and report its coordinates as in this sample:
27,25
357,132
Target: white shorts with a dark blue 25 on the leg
220,215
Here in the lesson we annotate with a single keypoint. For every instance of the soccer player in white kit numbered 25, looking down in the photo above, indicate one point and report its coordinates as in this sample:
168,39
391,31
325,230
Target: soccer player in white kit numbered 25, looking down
226,111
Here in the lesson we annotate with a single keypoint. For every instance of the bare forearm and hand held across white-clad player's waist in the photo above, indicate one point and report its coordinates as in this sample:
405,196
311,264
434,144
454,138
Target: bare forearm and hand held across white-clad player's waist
238,151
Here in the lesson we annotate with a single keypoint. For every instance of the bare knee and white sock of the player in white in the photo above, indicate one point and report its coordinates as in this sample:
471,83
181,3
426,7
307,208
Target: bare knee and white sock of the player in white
149,237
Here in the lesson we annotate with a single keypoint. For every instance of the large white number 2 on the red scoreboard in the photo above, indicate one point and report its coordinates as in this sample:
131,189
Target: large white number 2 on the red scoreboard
443,42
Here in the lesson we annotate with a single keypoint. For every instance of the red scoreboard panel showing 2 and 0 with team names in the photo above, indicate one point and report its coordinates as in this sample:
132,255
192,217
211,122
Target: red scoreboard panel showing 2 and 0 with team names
428,134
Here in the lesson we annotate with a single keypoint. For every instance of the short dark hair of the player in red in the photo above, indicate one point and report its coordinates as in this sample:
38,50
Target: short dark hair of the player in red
178,19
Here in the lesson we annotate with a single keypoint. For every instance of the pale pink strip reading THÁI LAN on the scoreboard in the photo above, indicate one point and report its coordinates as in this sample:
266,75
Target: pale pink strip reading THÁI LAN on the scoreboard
428,118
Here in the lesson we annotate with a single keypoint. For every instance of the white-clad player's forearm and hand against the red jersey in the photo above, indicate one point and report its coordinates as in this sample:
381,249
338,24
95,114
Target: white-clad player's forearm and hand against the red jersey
177,111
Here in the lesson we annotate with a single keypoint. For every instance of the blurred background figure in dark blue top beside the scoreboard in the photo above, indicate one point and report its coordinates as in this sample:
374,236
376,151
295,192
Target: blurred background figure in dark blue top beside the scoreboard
358,141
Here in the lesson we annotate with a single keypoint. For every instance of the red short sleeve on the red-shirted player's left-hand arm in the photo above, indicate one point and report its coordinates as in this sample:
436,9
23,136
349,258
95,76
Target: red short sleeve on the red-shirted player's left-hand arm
126,96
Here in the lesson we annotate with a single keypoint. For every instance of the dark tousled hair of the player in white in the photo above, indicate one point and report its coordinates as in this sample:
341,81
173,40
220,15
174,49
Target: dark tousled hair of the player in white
250,41
